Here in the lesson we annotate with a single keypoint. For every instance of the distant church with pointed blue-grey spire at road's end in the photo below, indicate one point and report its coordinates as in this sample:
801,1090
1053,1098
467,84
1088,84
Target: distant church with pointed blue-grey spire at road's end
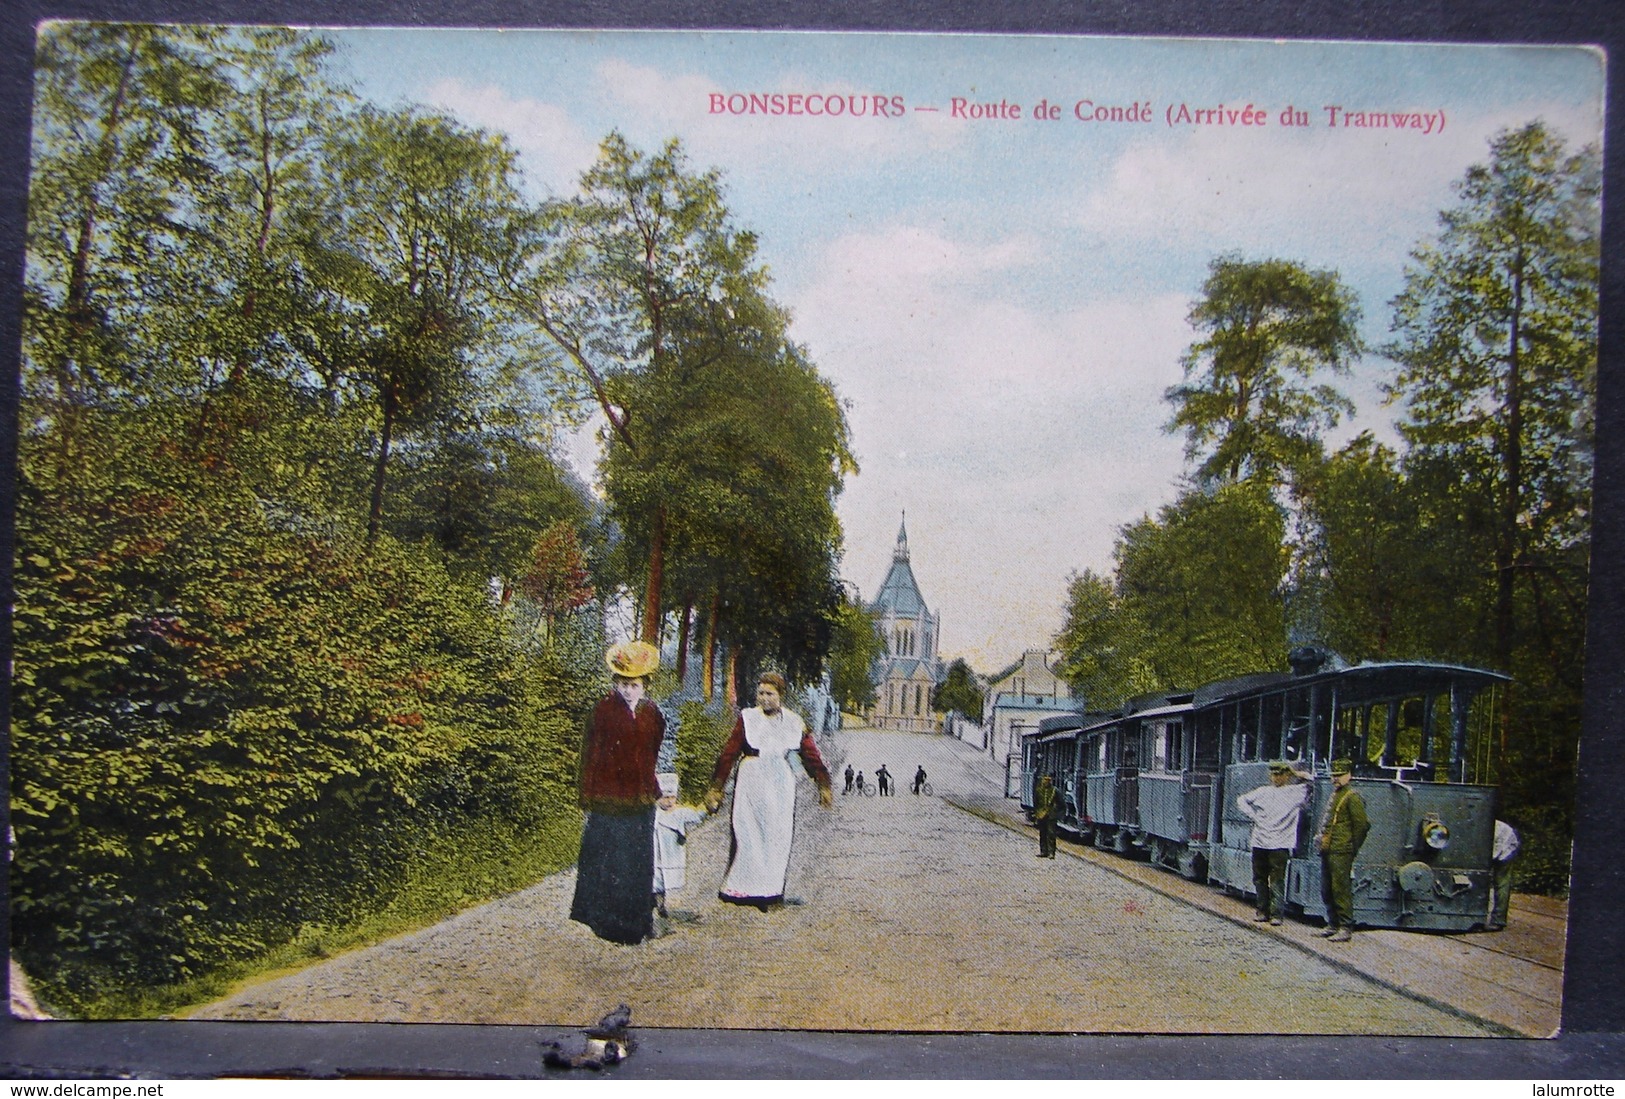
911,671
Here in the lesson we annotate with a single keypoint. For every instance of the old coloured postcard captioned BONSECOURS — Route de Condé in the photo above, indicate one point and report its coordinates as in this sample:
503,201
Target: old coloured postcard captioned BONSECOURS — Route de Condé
802,531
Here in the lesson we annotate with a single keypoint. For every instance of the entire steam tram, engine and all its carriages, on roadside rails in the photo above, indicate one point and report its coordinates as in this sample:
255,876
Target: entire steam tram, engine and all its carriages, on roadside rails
1161,778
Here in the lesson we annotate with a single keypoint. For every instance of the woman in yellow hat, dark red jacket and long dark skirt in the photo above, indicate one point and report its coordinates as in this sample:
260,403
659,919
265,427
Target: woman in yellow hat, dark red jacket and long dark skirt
615,875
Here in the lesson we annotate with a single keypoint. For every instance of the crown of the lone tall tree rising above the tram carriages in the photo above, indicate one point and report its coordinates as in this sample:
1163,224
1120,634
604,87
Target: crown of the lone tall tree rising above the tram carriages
1247,406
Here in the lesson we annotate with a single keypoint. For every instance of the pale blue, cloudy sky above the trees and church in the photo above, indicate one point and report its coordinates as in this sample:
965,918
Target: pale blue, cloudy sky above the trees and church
995,276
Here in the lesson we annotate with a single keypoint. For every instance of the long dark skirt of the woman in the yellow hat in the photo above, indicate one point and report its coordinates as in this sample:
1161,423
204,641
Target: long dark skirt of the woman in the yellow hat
615,877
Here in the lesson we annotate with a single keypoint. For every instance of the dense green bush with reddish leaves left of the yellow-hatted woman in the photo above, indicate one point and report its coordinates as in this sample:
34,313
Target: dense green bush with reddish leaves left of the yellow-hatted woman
227,729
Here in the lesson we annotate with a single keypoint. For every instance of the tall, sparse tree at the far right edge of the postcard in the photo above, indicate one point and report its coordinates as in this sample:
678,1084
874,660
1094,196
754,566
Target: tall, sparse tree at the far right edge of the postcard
1496,336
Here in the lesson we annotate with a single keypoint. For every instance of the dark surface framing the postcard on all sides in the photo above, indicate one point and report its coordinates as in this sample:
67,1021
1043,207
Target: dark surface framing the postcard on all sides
1592,1046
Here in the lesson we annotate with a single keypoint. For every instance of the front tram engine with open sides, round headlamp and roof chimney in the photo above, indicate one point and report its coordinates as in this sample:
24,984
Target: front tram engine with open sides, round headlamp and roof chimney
1419,737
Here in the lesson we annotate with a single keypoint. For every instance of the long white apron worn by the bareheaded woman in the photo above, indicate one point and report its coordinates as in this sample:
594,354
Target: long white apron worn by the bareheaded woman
765,807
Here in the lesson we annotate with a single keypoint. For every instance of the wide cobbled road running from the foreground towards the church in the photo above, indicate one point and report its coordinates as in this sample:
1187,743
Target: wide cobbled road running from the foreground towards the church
917,918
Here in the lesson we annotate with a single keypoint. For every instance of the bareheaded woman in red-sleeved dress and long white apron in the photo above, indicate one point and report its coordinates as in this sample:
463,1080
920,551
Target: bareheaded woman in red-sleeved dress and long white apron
765,794
